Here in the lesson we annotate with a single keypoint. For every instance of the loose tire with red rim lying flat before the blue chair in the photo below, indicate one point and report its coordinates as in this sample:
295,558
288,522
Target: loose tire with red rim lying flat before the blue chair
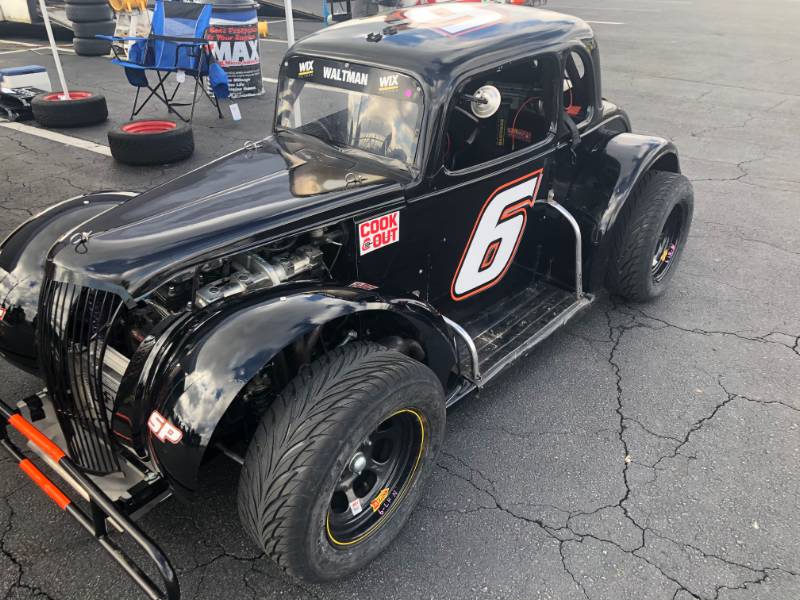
151,142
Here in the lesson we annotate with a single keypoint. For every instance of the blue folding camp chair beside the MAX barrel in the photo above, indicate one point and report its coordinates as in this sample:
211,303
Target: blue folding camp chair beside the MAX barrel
176,44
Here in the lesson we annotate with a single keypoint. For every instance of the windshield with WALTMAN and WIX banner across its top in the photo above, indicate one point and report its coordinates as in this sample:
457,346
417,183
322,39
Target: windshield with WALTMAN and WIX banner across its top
351,106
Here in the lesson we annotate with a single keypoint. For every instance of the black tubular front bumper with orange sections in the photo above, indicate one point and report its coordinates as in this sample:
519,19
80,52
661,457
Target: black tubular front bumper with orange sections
102,511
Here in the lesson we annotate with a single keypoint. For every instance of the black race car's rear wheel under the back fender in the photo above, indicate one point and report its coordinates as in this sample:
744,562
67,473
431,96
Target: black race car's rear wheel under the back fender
650,236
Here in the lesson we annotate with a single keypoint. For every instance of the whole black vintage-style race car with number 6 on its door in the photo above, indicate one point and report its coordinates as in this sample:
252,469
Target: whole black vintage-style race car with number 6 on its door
445,187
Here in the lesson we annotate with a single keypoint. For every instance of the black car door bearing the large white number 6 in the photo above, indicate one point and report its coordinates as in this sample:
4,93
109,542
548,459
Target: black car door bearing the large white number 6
477,232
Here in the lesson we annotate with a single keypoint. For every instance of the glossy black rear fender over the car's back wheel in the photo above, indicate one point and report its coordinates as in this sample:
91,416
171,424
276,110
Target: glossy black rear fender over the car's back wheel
606,176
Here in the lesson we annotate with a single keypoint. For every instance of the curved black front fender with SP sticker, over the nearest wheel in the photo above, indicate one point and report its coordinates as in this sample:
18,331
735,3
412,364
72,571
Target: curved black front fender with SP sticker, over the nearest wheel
204,362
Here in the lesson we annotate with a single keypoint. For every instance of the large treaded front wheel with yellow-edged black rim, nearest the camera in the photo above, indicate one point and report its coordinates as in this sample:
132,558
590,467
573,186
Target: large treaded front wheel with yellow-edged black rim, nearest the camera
338,461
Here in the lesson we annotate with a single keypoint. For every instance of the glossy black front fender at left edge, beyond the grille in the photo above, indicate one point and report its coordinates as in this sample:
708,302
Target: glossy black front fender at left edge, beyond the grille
23,255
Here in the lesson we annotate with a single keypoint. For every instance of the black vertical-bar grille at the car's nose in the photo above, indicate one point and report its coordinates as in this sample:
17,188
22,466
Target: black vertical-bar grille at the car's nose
73,327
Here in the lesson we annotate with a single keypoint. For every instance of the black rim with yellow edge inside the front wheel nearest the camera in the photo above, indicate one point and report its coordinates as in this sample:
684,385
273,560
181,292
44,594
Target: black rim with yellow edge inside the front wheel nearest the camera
376,478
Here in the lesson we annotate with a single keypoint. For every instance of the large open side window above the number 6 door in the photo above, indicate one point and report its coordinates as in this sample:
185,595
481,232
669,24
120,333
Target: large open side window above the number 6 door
524,117
